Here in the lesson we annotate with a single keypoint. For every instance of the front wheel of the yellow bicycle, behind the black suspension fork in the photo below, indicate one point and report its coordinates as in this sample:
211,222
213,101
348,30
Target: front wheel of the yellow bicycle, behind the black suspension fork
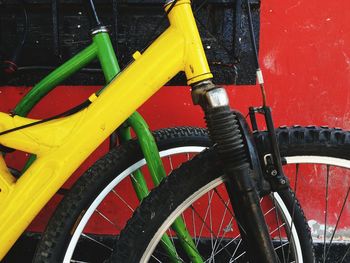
196,193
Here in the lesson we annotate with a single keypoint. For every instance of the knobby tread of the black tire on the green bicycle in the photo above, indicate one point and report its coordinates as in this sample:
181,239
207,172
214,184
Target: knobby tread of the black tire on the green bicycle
120,156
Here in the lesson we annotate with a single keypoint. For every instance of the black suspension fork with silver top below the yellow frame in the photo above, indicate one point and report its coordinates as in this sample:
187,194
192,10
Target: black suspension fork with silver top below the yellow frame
224,131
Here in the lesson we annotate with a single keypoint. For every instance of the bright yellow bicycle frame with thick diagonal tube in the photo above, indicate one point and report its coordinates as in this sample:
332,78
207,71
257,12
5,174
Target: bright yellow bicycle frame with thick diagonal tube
62,145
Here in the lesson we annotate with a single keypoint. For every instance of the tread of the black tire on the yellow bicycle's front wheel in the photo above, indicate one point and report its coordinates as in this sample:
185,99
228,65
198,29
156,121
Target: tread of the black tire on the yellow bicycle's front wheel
162,199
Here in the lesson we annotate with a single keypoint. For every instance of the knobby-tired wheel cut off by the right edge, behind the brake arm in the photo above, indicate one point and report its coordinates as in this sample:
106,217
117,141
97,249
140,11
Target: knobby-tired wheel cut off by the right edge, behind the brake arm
317,161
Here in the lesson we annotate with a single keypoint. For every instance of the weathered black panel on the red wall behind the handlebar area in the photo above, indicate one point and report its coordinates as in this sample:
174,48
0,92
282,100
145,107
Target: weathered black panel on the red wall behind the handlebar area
132,24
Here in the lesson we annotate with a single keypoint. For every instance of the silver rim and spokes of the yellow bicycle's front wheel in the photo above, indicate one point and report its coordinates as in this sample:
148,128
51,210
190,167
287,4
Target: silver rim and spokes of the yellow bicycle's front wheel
238,252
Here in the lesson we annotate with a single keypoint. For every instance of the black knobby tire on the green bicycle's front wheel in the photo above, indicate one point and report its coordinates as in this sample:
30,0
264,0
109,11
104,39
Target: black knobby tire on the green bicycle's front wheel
71,209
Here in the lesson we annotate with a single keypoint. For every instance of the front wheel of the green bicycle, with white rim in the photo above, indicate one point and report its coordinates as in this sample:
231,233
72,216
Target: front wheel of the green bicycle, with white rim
97,207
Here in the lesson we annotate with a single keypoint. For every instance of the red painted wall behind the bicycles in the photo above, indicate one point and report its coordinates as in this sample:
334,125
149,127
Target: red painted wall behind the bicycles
305,55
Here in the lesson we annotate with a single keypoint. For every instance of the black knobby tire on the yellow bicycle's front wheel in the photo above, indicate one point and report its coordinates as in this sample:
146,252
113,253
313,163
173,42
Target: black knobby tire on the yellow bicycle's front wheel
203,172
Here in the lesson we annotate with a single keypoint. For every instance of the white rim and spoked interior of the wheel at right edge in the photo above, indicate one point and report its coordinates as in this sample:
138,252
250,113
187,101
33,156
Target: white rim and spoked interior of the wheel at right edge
330,224
